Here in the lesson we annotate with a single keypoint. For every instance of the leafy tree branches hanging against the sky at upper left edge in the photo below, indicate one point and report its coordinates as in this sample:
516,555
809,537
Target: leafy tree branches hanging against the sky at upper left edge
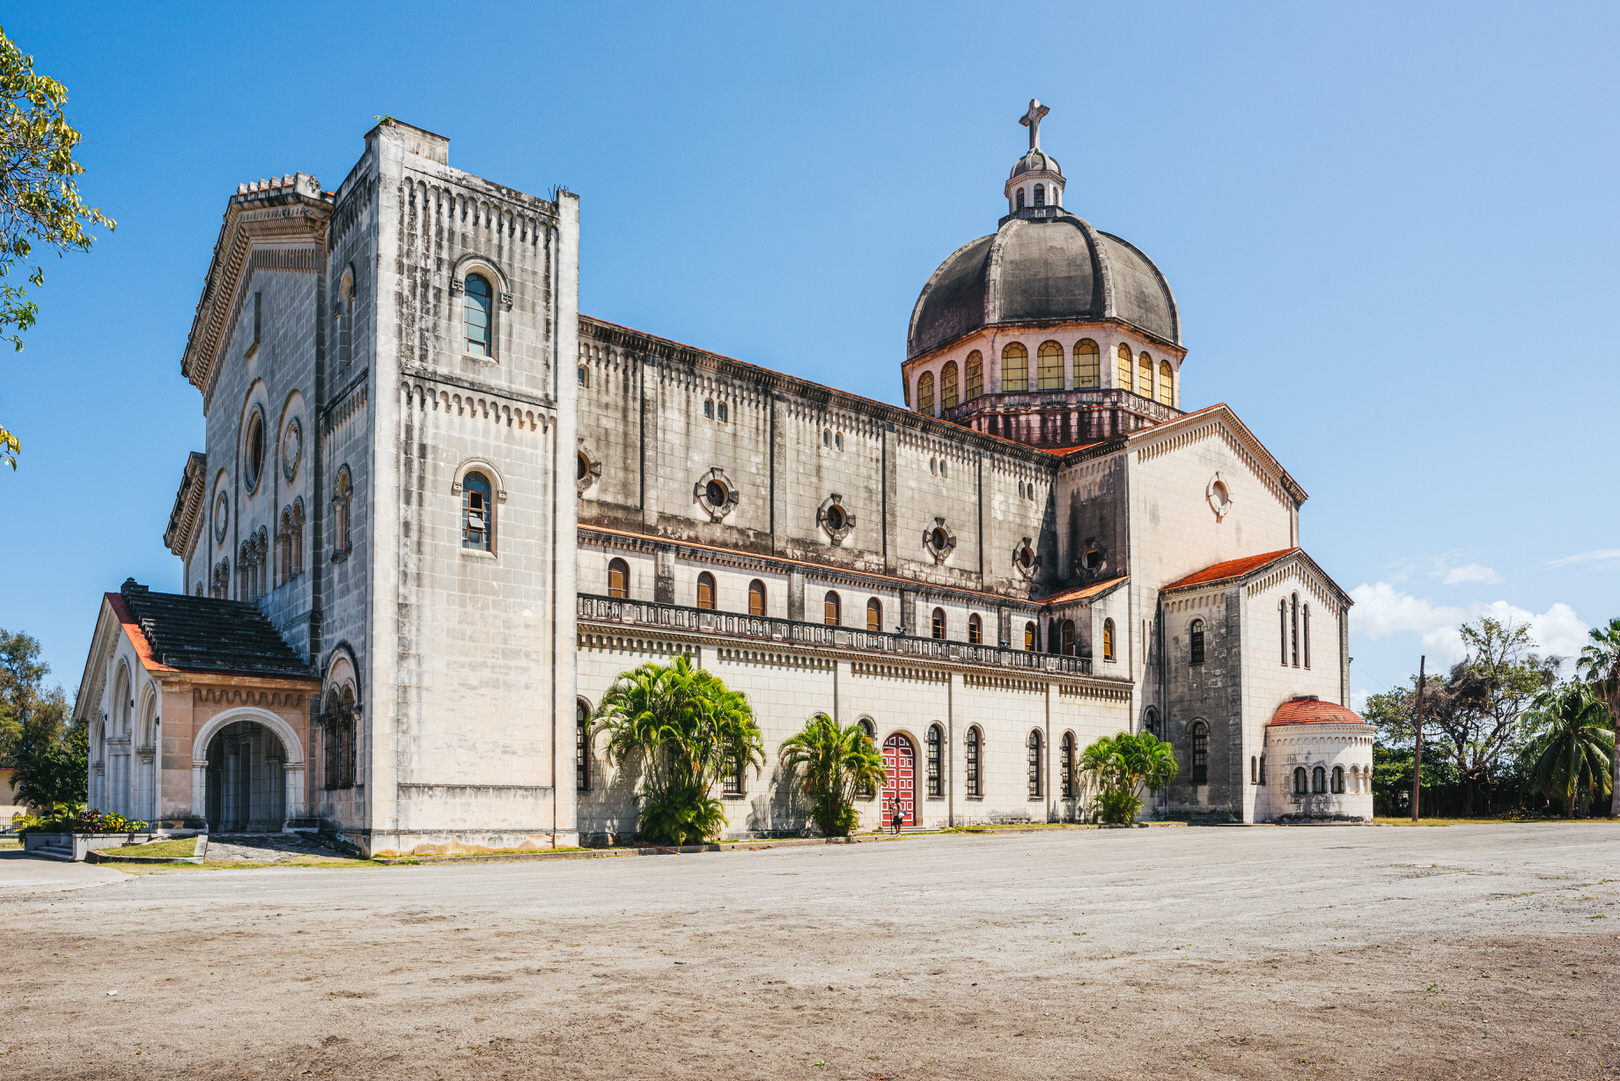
40,197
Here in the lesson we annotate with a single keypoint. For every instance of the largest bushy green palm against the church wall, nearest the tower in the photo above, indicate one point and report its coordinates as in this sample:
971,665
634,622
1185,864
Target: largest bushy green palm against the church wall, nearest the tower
686,730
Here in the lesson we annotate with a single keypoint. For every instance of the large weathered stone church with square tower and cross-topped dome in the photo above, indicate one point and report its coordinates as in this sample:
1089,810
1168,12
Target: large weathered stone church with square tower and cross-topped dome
438,511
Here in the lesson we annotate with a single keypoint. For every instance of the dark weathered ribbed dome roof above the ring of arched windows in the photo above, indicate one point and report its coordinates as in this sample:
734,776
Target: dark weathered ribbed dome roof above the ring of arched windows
1039,270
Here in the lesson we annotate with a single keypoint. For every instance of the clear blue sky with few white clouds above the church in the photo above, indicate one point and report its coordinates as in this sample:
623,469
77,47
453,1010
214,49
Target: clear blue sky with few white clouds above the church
1389,228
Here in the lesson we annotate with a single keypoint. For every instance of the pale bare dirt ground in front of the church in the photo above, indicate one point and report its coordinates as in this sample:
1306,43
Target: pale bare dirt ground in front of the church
1480,952
